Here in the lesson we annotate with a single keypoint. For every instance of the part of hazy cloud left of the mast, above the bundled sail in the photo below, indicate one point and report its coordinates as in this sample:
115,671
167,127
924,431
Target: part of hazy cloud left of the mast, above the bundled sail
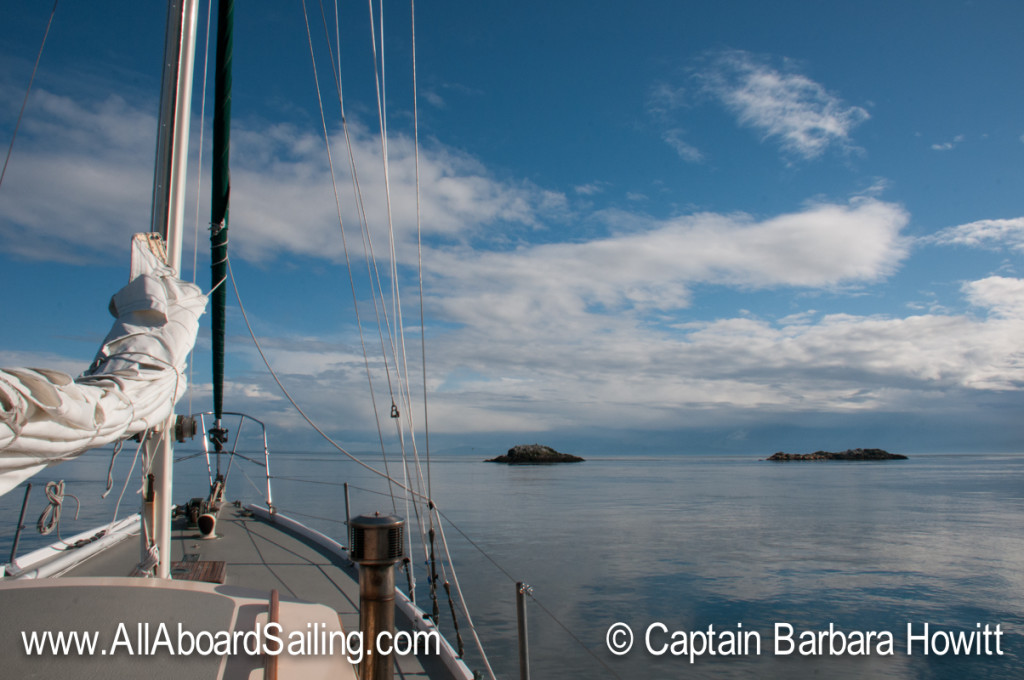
78,183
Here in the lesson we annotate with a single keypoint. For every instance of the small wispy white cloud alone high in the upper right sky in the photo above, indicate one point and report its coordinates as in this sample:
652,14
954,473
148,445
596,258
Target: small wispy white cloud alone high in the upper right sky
788,106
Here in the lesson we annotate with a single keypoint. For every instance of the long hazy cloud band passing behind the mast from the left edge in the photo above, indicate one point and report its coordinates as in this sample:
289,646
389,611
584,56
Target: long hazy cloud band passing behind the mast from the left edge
80,185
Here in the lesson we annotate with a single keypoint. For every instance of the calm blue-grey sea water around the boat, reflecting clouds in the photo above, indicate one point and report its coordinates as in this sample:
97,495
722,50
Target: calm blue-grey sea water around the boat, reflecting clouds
693,542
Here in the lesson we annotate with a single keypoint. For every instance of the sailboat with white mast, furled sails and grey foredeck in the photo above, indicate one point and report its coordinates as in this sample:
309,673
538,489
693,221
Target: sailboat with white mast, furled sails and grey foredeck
205,588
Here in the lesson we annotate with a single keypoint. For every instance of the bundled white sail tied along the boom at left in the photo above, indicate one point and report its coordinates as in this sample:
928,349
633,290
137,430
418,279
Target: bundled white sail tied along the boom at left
134,385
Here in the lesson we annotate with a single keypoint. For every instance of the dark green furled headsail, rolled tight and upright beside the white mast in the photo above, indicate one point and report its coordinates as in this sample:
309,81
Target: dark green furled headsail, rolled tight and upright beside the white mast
220,203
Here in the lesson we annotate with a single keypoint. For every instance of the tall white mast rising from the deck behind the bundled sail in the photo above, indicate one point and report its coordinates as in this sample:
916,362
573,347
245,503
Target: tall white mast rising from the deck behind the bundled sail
168,218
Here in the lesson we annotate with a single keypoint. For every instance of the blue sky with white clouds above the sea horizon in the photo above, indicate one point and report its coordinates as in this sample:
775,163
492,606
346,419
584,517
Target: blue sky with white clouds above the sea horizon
652,227
